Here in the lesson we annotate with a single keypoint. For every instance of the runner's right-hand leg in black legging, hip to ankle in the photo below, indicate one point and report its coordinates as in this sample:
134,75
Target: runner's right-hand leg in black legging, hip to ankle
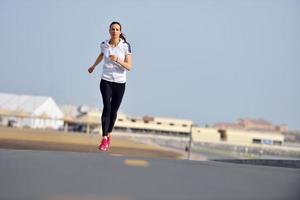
117,96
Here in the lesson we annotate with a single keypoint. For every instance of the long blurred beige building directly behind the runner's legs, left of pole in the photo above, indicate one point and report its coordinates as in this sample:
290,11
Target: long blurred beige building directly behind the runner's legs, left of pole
90,121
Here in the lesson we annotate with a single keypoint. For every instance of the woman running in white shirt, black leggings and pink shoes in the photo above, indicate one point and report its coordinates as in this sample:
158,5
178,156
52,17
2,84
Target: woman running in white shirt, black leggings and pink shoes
116,53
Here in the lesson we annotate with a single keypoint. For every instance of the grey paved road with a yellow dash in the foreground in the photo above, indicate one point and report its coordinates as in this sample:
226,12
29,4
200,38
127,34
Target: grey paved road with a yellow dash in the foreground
56,175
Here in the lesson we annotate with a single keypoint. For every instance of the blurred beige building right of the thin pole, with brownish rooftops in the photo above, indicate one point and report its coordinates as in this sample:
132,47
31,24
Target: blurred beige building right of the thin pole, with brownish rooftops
249,132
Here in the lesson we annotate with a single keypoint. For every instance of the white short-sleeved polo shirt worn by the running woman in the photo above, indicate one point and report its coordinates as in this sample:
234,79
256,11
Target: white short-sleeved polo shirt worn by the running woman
113,71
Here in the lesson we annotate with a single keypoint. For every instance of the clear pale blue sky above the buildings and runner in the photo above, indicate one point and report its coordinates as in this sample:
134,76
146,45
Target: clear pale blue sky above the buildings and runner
208,61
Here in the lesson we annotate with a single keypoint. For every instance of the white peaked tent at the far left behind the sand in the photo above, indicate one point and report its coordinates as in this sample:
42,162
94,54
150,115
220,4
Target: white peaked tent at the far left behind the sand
32,111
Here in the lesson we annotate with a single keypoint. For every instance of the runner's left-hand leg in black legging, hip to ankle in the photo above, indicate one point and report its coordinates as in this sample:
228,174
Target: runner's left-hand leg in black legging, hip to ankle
106,91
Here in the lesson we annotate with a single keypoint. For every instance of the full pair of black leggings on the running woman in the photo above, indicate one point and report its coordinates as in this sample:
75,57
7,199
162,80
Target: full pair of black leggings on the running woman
112,94
